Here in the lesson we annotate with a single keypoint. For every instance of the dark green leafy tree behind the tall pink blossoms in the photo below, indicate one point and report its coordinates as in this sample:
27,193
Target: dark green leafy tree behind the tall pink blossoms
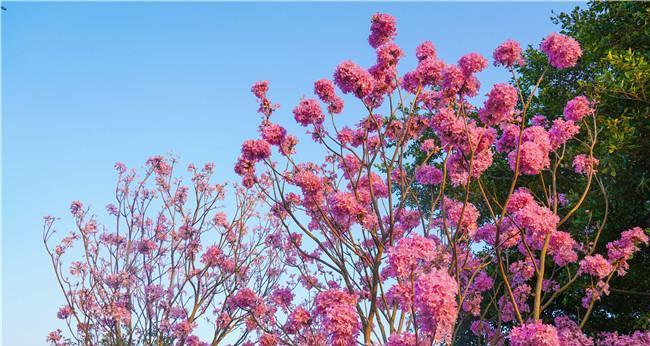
614,71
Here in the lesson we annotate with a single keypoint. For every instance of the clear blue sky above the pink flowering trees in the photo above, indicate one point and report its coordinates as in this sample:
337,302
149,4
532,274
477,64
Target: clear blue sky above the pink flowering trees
86,85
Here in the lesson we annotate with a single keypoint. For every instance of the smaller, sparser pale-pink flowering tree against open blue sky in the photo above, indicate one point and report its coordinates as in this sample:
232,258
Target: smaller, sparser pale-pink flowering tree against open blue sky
167,263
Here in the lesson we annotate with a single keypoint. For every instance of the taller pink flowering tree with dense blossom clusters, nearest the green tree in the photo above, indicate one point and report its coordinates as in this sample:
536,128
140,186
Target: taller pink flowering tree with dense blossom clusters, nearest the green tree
391,248
